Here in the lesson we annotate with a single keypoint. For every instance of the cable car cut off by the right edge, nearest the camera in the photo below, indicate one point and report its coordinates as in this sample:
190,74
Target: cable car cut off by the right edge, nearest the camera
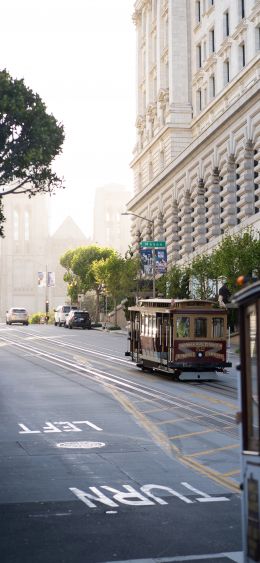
248,301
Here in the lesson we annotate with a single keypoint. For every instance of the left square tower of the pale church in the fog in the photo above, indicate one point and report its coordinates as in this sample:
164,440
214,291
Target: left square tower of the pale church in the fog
23,252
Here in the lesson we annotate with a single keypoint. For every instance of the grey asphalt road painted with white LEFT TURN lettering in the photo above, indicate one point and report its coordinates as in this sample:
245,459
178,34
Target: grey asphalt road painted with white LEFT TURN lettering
102,463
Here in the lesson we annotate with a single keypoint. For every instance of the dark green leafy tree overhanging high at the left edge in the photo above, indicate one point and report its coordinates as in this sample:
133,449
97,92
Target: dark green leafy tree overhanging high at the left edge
30,139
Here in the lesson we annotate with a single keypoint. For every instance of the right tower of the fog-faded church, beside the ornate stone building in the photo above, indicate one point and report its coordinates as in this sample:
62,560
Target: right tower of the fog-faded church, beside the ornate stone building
110,228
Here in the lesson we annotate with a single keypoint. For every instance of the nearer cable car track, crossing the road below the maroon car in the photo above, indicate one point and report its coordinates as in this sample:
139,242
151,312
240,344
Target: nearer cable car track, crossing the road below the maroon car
138,390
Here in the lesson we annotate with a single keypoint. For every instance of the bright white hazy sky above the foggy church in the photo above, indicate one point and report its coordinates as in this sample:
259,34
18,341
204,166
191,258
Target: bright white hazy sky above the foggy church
79,56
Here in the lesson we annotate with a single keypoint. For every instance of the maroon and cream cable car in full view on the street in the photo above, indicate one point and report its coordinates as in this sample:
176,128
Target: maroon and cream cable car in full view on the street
186,338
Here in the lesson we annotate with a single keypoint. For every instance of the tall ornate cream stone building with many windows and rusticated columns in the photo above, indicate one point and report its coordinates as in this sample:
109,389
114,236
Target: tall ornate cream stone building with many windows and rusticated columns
196,162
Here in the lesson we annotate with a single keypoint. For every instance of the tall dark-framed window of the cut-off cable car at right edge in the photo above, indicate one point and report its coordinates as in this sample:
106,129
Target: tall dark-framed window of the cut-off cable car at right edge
252,407
